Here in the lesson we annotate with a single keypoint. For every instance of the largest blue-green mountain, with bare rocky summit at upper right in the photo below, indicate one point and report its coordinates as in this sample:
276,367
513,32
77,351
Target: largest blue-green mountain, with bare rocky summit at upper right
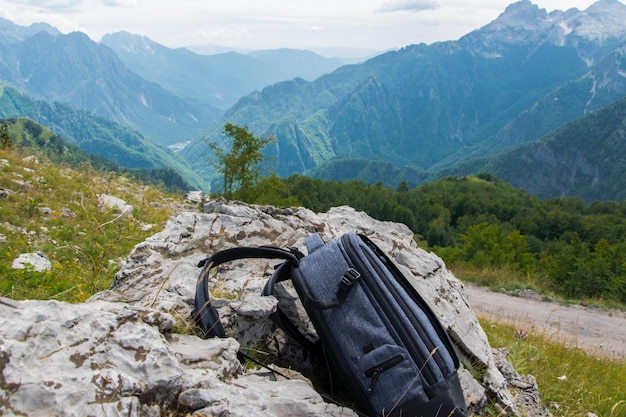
429,106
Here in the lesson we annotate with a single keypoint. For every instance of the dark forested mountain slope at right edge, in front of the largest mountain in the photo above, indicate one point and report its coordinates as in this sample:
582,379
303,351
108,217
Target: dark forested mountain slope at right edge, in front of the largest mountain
585,157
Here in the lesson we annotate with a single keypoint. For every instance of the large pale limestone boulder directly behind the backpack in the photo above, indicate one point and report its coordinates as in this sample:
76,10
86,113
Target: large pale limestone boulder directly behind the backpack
161,272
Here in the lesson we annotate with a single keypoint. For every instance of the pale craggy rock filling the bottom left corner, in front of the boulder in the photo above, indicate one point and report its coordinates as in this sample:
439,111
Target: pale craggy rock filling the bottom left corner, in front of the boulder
100,359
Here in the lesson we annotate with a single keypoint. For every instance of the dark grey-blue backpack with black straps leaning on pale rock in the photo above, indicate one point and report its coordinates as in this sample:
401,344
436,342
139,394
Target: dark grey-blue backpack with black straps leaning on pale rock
387,345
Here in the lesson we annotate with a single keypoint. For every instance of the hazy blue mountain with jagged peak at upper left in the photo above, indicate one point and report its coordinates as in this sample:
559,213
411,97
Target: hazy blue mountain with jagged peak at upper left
75,70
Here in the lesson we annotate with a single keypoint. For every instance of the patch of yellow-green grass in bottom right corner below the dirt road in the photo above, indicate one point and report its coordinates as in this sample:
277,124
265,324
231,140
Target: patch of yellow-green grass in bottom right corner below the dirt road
572,382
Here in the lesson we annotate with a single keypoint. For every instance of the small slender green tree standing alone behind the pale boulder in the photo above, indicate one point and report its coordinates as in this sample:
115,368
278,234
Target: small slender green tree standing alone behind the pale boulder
240,166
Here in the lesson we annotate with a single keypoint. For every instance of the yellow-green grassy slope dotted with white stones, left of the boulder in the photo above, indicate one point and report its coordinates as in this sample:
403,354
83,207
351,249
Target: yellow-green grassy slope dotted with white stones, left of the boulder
55,210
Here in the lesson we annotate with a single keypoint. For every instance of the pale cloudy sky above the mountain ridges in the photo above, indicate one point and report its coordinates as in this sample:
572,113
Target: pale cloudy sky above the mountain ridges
374,25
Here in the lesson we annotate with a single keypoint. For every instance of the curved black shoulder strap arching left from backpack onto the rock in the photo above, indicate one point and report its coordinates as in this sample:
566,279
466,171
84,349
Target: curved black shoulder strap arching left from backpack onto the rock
205,315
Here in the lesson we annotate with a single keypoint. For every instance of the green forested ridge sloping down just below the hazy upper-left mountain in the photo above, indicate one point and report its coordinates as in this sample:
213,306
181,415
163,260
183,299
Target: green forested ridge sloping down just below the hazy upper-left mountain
94,134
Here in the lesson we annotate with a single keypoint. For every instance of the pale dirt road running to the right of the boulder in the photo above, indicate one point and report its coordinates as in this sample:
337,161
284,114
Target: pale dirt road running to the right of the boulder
598,331
